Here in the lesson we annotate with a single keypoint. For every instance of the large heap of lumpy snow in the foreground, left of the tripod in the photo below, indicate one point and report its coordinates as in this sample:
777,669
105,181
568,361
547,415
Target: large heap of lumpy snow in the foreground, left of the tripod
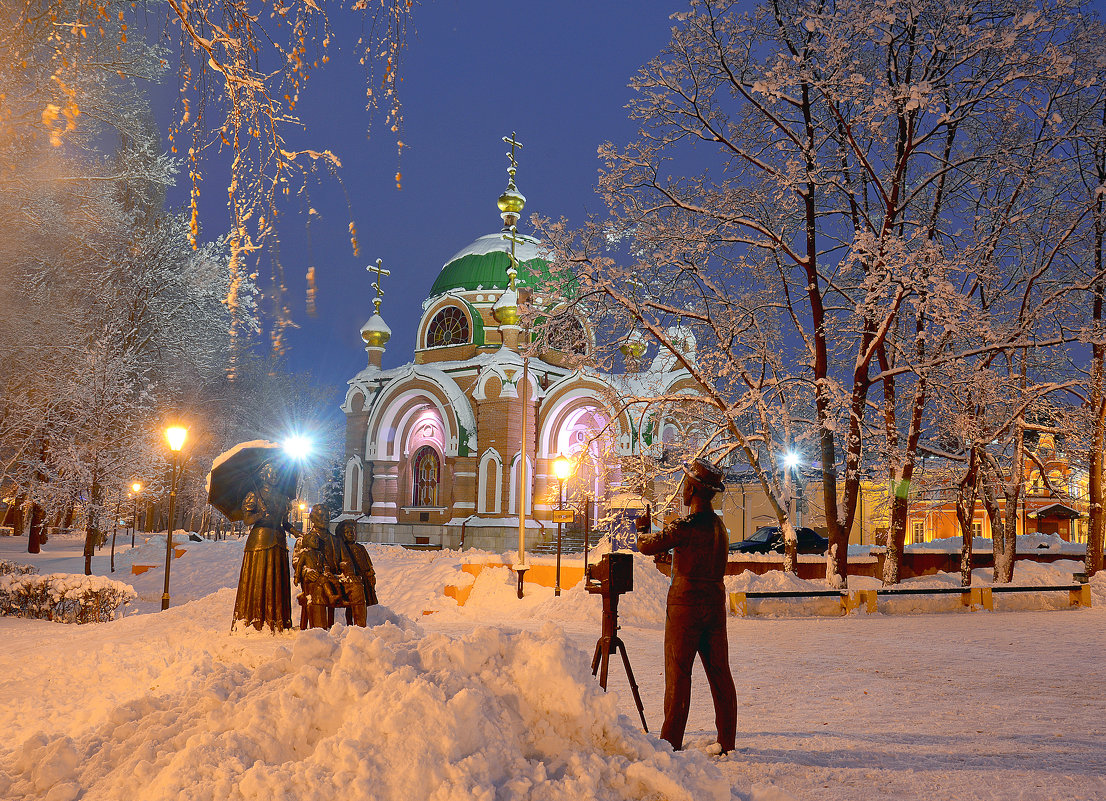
383,713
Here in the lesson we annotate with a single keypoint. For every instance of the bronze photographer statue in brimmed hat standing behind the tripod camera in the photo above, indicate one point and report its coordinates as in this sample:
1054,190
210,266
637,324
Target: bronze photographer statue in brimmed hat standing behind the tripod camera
696,619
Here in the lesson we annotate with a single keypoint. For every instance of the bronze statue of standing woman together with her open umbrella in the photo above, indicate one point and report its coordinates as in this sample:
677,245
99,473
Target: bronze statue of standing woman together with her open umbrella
254,483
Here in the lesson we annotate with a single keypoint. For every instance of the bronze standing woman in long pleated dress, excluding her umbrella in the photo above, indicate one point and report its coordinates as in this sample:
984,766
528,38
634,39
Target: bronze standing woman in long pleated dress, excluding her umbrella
265,590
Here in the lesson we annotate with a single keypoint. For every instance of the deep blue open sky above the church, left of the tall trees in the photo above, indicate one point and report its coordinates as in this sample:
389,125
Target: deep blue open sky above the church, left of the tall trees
474,71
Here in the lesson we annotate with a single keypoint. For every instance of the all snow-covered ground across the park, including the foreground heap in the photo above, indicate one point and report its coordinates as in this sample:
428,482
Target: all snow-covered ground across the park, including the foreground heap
495,701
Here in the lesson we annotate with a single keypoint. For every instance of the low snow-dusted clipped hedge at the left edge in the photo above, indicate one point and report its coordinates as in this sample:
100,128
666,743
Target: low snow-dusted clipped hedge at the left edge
64,598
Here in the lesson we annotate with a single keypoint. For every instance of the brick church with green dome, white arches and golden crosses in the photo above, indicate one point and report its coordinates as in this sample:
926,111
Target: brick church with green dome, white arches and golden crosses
442,451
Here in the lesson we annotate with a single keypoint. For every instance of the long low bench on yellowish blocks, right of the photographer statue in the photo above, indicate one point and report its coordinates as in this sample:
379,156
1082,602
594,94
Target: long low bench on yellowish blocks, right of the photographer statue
973,598
